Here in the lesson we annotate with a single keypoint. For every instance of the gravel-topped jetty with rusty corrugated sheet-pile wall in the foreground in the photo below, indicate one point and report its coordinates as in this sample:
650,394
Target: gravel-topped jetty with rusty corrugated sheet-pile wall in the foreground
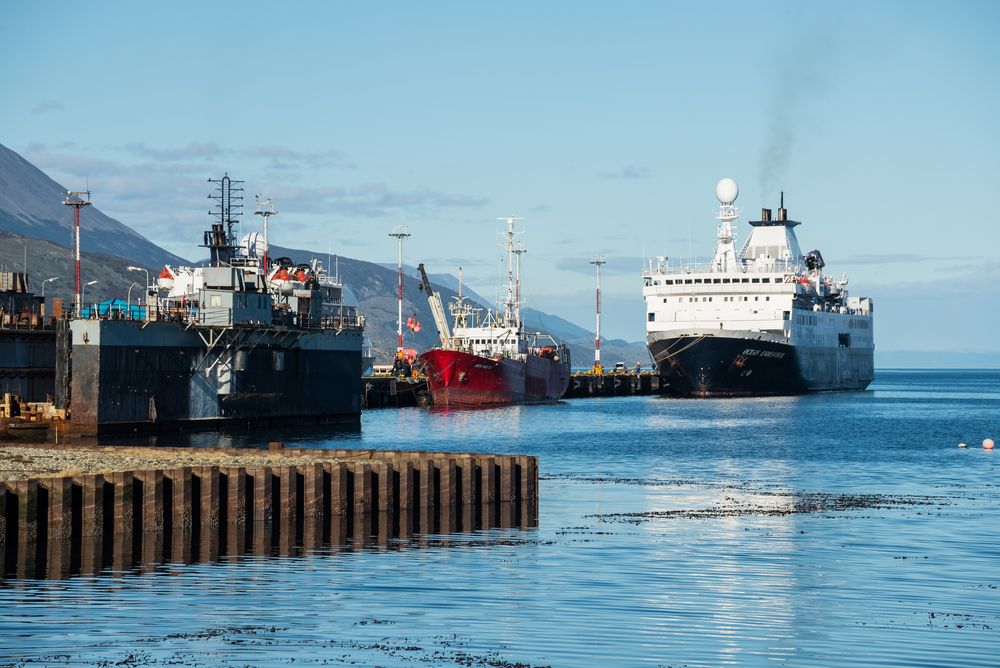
193,504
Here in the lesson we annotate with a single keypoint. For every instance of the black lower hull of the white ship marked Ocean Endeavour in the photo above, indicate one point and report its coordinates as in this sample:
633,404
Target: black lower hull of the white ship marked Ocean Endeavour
751,364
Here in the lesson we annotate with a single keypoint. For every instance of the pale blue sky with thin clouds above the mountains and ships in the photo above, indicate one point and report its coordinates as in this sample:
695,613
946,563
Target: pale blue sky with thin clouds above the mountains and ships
605,125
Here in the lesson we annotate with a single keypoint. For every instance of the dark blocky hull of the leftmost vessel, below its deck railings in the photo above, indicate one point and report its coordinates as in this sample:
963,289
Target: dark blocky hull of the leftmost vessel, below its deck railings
162,377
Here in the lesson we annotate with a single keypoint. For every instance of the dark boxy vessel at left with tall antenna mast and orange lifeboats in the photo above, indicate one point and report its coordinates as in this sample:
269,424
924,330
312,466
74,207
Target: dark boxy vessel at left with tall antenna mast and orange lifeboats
244,341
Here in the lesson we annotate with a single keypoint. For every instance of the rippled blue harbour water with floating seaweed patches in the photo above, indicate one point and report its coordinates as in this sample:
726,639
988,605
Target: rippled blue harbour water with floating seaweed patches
839,529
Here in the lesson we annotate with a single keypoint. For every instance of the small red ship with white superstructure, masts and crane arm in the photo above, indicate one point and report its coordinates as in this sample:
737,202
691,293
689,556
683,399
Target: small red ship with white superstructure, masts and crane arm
491,360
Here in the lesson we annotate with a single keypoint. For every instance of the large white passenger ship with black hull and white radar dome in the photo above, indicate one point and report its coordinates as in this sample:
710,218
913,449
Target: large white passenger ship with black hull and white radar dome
764,320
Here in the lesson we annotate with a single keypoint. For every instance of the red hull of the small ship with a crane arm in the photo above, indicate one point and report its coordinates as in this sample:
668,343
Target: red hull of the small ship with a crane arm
457,378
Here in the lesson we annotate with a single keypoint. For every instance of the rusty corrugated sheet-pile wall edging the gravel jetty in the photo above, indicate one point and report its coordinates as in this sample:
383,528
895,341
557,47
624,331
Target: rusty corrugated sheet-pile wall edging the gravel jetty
132,522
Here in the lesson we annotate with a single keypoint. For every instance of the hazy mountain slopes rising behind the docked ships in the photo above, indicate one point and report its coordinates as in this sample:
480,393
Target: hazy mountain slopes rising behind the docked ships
33,217
